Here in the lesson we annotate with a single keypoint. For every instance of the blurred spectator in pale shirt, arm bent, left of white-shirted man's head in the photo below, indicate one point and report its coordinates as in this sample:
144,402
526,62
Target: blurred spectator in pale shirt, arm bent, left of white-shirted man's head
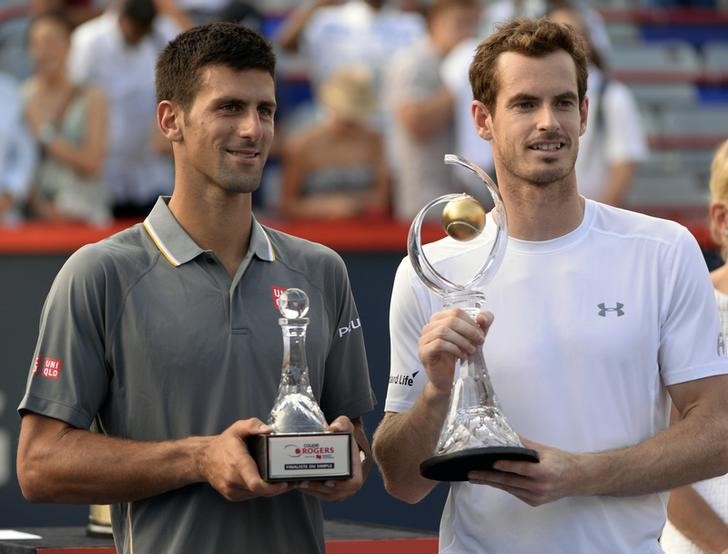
420,108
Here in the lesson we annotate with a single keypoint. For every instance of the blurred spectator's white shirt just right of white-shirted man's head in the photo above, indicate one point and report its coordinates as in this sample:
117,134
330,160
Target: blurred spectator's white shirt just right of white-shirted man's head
618,138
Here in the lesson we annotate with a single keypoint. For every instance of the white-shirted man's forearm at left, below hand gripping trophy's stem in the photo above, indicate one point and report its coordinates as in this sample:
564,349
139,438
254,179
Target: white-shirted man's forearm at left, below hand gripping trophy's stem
404,440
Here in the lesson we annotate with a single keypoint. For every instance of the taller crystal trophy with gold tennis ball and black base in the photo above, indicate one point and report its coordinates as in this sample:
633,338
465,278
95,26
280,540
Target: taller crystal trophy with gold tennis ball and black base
475,433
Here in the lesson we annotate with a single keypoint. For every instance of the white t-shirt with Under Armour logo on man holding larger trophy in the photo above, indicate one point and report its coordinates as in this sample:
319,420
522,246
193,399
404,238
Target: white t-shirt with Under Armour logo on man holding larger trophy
589,329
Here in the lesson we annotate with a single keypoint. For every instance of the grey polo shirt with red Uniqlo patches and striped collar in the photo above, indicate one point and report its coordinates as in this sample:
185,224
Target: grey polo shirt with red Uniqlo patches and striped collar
147,334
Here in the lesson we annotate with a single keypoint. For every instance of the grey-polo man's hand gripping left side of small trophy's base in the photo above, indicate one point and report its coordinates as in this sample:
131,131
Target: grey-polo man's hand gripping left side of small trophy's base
227,465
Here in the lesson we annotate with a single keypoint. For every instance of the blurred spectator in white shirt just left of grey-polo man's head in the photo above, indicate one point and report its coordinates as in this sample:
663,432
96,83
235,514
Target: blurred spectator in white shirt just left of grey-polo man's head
116,52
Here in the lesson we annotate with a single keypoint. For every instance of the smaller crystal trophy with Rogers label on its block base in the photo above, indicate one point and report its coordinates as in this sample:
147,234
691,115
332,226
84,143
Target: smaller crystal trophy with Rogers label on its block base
299,448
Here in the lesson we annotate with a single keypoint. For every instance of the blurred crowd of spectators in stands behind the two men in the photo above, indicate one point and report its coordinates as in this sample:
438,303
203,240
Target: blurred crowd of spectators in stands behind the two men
372,94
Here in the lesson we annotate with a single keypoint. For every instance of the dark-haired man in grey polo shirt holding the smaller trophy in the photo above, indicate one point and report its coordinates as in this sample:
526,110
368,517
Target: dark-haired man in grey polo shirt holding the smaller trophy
166,337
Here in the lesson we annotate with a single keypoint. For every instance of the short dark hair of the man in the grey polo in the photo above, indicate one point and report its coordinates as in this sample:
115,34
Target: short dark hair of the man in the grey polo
180,64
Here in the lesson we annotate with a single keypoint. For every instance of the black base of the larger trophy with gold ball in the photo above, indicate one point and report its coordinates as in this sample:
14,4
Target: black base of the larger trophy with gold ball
456,465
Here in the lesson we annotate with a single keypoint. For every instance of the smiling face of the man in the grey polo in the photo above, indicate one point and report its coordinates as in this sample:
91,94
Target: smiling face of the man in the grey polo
228,130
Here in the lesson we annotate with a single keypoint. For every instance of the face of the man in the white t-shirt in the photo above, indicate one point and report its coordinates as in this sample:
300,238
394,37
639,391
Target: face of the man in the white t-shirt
537,122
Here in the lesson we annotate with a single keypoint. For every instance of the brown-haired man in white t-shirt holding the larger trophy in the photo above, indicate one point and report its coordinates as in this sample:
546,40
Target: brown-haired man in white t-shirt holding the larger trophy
602,316
